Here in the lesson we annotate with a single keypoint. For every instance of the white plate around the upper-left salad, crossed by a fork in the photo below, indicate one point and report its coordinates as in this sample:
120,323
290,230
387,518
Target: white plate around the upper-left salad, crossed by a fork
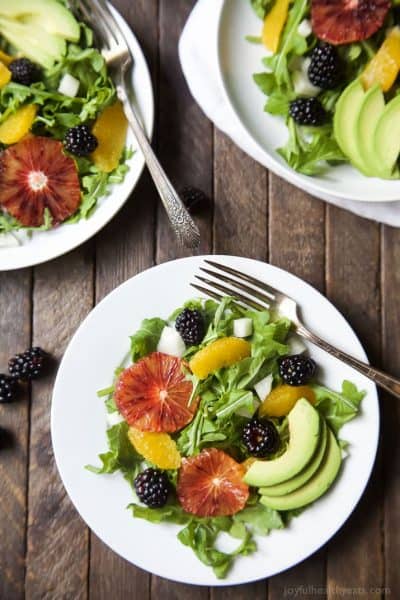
46,245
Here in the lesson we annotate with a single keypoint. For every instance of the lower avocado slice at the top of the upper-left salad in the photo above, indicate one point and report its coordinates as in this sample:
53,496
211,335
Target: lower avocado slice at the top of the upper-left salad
40,46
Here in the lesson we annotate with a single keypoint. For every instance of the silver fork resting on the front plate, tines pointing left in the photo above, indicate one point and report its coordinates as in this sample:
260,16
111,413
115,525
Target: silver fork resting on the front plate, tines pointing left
259,295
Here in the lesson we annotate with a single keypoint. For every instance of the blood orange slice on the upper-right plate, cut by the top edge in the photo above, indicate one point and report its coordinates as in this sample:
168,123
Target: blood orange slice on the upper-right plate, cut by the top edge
345,21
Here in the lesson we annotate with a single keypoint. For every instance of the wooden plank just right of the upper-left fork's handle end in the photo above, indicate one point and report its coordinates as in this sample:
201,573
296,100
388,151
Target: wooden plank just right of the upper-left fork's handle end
240,228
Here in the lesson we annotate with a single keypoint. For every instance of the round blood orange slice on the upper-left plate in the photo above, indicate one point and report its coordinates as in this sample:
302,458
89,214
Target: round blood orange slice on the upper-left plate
36,174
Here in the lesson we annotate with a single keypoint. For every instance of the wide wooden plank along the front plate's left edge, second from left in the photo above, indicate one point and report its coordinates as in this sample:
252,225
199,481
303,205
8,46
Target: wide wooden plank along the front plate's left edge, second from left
57,554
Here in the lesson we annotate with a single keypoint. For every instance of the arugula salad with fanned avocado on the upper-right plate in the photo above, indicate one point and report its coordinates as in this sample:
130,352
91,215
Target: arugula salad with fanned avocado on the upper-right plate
332,74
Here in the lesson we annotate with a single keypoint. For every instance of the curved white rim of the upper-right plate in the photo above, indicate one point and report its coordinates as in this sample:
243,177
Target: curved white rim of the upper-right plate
268,160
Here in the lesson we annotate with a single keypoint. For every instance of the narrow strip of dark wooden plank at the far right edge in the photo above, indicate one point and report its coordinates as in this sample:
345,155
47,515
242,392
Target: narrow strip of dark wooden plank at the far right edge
390,406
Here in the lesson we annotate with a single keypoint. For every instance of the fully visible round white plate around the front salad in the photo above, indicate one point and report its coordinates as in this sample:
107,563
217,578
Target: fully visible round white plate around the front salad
78,424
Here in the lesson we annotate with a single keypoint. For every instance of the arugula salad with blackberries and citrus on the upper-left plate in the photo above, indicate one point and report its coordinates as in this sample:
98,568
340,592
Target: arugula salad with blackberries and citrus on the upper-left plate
62,129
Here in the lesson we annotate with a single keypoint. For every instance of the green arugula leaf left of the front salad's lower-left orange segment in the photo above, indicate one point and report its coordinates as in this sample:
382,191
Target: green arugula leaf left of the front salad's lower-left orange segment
121,455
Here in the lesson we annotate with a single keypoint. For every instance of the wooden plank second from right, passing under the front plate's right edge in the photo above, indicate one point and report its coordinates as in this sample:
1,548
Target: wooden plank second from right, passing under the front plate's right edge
353,271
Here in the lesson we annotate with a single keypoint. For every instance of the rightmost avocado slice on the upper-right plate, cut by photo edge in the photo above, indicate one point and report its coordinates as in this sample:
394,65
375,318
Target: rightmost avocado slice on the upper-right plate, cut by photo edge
387,139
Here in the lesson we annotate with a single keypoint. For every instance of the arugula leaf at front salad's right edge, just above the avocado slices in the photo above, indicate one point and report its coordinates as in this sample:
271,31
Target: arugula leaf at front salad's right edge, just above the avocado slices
338,407
